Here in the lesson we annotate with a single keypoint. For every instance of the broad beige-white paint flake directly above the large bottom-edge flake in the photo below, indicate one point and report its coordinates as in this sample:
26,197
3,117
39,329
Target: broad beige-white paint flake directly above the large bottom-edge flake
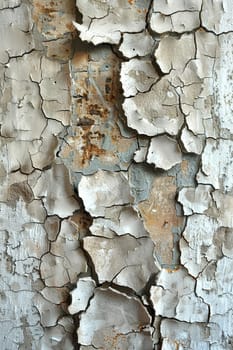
125,260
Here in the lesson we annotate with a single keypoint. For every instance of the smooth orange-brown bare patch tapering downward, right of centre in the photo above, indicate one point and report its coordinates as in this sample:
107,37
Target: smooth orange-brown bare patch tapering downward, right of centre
159,216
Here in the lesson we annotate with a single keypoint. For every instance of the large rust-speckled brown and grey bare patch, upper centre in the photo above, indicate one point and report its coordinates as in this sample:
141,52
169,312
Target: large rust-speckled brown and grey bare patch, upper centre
96,133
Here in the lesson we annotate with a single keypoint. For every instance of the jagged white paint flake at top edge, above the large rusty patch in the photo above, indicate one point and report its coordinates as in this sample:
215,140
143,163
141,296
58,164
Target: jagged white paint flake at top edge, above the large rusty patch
107,20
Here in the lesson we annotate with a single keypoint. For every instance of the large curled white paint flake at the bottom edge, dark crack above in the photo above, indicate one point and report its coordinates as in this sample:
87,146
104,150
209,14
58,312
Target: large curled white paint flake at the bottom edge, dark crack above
117,320
